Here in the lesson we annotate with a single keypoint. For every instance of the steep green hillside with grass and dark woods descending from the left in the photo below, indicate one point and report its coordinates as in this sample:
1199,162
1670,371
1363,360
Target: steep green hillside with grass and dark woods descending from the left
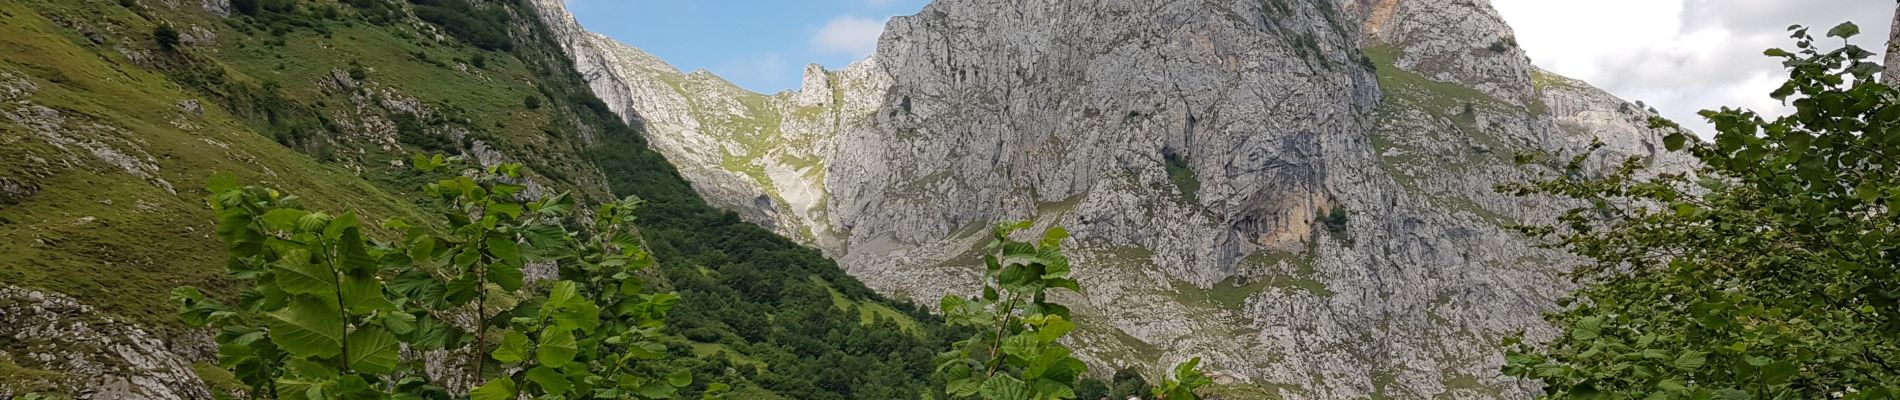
115,113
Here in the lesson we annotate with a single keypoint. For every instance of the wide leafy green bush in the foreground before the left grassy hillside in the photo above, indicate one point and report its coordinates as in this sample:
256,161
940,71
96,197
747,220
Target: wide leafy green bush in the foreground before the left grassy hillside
330,308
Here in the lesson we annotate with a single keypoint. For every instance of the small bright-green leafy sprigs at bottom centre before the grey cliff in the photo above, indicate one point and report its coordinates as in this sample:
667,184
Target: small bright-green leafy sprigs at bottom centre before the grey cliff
1016,352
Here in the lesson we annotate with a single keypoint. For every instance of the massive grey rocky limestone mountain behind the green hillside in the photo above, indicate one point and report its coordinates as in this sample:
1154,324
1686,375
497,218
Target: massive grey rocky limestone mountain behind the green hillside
1297,191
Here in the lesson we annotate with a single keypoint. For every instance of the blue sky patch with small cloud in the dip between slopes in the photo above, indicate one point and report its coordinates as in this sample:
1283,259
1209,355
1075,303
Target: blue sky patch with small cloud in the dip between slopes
759,45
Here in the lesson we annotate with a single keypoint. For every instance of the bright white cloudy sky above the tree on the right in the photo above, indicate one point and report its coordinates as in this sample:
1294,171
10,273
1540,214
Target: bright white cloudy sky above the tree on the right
1682,56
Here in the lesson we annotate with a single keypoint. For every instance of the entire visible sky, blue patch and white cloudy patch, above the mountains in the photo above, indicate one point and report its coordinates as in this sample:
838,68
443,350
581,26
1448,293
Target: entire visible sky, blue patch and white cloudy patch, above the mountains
1677,56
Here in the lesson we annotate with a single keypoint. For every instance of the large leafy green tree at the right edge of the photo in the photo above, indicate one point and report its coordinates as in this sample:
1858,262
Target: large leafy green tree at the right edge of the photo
1766,274
